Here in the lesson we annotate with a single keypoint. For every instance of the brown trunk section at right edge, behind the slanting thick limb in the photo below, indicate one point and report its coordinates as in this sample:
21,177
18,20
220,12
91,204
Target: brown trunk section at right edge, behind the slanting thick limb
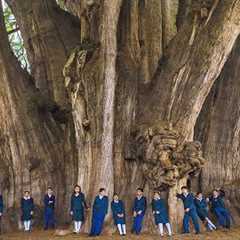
218,129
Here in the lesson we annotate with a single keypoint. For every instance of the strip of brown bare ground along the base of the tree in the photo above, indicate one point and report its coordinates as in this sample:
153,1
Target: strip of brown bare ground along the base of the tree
233,234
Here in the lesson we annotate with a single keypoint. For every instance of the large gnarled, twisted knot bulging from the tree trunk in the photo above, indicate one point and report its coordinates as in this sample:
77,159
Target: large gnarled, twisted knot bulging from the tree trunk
163,157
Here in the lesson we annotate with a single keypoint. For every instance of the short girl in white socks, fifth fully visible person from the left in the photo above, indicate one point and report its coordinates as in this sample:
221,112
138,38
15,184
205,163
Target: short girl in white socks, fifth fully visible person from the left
118,211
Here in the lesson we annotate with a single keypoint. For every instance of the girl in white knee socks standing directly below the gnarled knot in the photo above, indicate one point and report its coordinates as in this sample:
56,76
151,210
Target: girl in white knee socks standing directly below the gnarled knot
160,213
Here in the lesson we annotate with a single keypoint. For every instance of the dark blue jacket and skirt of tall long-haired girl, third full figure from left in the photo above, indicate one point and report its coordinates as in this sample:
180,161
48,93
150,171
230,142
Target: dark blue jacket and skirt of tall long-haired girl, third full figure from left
77,206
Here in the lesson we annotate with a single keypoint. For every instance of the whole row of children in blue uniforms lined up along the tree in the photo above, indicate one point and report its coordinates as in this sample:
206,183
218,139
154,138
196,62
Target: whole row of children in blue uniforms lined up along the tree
195,207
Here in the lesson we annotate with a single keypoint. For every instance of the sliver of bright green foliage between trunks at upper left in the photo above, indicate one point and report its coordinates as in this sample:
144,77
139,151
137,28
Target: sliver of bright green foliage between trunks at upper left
14,35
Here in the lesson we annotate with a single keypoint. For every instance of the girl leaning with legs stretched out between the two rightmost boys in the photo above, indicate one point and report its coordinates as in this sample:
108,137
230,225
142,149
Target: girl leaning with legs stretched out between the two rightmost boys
202,211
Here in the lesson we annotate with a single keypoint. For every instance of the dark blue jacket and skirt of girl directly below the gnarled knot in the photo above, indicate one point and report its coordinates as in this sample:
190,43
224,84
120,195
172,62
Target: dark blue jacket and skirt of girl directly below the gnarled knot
160,207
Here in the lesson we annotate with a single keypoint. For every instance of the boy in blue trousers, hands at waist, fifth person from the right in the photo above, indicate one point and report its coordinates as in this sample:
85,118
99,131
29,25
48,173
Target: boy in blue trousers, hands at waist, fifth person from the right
139,209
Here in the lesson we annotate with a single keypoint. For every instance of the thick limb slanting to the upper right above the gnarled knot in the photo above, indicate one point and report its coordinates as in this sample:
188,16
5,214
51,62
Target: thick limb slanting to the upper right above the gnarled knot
190,71
